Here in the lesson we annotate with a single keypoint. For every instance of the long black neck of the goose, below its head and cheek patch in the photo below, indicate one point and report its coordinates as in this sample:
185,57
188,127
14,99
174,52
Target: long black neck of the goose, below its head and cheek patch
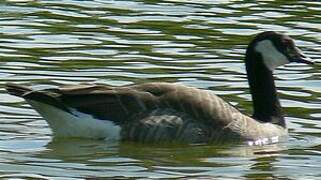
266,104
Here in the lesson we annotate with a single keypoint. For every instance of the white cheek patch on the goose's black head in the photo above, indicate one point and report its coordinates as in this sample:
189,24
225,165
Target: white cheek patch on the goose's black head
272,58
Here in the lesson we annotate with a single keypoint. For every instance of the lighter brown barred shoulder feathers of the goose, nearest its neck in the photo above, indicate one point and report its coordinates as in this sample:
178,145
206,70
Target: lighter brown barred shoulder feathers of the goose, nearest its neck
202,105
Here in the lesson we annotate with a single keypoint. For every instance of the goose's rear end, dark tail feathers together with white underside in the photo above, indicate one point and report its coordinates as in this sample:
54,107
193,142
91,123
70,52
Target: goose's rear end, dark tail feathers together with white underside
64,120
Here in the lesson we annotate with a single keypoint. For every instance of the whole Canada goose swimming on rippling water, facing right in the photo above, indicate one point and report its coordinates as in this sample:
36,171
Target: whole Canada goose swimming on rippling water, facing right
158,112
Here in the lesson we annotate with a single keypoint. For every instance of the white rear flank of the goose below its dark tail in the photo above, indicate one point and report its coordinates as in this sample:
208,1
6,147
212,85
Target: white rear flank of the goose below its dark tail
76,124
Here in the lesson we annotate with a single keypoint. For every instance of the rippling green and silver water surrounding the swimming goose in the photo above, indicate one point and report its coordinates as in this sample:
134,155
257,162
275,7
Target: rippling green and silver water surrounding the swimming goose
51,43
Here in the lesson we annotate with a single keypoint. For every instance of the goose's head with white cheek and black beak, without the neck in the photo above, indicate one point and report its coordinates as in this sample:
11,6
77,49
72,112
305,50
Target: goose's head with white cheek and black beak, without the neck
276,49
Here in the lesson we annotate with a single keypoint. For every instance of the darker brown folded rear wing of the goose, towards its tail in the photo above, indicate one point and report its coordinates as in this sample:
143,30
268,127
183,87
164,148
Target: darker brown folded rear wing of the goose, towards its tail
113,103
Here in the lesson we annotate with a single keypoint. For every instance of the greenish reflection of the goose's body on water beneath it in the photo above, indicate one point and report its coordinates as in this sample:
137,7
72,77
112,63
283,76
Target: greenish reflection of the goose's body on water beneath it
170,161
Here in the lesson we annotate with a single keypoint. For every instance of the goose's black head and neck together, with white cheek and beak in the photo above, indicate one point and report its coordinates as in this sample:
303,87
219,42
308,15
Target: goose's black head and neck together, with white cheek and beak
266,52
